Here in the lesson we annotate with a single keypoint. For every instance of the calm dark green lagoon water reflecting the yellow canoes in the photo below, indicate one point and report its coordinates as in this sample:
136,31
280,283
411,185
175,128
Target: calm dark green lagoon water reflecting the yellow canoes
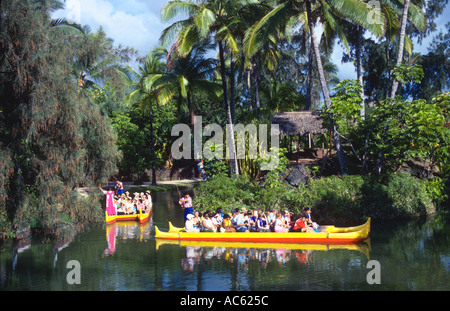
413,255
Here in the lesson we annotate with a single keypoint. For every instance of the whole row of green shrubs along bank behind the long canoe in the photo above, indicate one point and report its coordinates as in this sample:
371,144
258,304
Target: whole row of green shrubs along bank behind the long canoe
345,200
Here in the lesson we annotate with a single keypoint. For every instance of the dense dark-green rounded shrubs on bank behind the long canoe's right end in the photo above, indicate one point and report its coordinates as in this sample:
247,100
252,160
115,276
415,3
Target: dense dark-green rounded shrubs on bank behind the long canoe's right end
352,199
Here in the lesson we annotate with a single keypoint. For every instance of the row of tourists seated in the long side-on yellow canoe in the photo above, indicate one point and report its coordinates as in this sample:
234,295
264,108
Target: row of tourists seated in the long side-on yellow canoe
241,220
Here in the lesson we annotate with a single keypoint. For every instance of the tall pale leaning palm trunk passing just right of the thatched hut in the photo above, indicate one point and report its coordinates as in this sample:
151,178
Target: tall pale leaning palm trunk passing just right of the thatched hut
325,92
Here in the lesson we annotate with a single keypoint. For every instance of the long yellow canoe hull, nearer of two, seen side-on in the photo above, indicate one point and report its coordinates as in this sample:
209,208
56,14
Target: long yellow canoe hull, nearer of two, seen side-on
331,235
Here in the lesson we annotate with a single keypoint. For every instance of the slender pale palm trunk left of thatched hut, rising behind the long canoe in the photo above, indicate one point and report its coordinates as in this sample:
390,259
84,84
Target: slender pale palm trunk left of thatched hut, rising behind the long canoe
234,170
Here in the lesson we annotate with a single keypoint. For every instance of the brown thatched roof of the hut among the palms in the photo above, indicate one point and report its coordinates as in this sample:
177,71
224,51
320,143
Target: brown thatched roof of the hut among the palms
299,122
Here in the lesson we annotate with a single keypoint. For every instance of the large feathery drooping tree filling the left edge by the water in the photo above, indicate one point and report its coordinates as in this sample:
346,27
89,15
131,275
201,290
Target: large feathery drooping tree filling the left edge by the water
53,136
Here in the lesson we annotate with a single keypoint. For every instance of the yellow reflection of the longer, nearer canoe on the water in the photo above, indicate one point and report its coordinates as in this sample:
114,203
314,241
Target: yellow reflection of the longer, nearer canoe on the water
363,247
